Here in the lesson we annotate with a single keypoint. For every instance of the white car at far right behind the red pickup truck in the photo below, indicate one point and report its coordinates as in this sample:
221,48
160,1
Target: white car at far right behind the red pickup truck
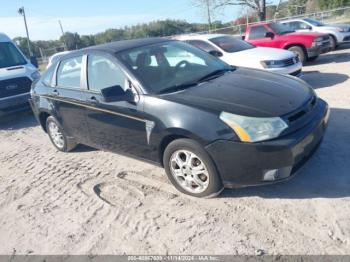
339,33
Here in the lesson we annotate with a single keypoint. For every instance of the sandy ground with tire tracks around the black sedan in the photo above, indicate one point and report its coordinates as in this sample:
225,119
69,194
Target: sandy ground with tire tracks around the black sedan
95,202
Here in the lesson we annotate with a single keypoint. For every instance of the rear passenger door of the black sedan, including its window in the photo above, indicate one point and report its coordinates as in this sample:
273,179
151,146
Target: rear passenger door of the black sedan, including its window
67,98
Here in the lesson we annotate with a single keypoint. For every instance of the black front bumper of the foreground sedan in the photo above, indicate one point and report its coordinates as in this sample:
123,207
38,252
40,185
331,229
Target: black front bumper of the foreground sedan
247,164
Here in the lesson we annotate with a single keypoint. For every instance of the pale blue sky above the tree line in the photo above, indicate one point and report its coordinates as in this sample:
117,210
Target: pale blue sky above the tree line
92,16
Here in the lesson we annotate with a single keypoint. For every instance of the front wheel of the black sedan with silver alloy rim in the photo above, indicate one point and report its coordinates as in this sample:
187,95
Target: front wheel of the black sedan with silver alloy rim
191,170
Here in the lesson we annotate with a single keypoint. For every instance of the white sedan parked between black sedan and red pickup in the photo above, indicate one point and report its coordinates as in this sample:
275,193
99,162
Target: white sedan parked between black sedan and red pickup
237,52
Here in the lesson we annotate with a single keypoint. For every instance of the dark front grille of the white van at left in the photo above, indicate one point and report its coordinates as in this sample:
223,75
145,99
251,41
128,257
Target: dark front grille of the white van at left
14,86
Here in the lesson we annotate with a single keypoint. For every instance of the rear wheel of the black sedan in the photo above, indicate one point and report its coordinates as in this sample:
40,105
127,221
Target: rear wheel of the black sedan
58,137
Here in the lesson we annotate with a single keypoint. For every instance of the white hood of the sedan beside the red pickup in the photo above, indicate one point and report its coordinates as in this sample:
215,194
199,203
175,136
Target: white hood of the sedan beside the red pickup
264,53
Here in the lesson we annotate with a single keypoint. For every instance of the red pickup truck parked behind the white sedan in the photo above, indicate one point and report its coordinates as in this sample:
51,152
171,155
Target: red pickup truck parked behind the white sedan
307,45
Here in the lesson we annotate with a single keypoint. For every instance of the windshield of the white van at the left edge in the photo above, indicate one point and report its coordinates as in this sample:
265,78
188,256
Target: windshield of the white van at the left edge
10,56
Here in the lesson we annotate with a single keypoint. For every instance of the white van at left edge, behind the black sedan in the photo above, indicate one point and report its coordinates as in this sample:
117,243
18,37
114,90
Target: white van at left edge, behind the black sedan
16,76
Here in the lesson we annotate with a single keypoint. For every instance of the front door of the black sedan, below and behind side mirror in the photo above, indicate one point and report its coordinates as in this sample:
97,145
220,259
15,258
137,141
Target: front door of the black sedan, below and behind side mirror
116,126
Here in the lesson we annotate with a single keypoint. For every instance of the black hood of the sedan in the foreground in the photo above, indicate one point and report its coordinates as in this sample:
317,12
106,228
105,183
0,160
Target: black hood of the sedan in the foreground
247,92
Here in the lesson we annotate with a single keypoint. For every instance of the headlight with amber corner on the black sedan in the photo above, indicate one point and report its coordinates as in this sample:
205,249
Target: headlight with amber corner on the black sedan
254,129
